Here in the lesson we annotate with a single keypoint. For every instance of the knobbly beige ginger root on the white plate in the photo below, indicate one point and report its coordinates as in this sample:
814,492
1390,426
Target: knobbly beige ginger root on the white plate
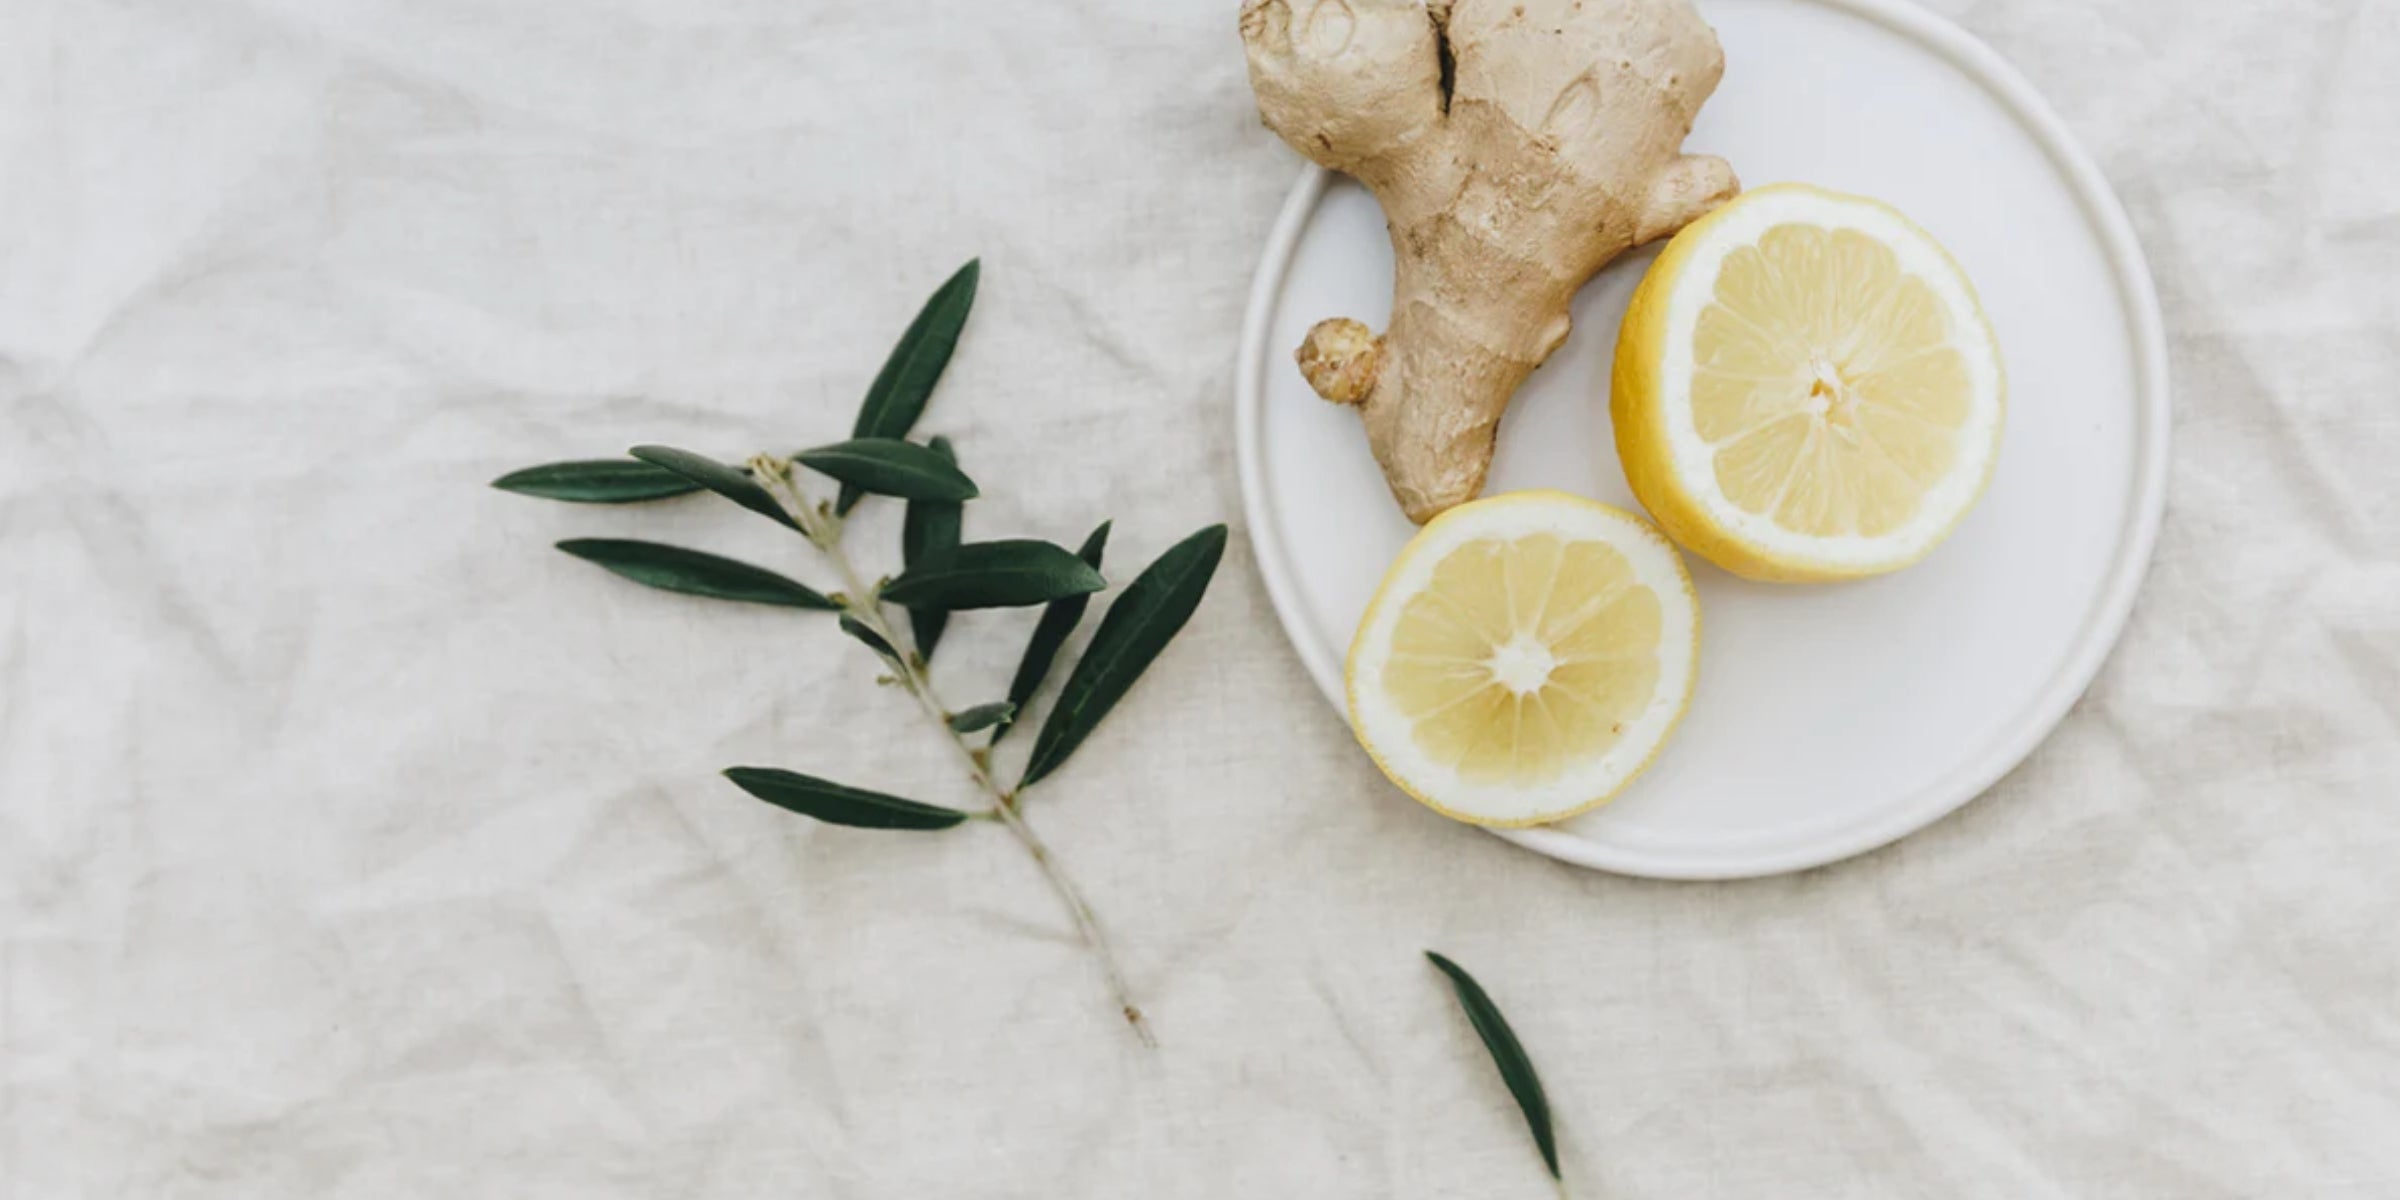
1516,148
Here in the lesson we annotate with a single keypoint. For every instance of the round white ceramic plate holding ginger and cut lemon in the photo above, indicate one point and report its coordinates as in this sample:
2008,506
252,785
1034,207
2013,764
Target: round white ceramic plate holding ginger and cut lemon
1828,721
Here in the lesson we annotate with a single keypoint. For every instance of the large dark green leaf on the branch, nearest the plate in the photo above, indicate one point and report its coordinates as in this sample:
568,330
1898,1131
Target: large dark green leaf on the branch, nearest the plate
1129,640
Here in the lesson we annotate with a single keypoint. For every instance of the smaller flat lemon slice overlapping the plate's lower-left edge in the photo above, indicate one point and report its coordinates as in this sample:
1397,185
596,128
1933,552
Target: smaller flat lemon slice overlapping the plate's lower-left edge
1525,659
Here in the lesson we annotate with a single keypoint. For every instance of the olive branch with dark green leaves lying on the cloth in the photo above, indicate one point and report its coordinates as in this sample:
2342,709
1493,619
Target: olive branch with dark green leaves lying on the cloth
940,575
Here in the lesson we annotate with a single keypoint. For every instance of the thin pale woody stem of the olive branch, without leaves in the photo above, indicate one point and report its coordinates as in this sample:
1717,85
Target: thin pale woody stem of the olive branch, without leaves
863,604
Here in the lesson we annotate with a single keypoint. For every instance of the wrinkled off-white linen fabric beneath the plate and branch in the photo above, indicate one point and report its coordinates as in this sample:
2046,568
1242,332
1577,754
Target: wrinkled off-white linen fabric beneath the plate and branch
359,846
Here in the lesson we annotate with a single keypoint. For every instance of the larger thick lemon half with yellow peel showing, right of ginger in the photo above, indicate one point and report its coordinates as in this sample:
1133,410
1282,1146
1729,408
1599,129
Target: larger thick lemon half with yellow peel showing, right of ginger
1806,388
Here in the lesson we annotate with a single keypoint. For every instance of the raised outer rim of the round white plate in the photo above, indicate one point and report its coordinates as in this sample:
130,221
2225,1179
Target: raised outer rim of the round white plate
2034,724
